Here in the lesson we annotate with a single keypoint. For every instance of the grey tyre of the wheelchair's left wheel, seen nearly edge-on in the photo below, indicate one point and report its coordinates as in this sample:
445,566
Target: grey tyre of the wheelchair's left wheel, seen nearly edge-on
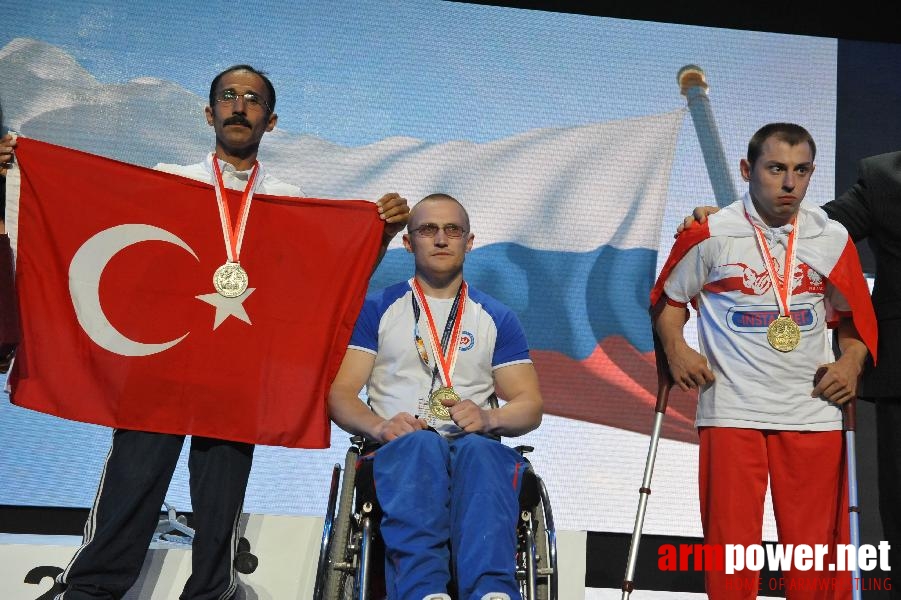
339,580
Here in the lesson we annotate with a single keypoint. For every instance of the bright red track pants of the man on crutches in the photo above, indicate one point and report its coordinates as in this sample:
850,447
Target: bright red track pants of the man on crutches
808,482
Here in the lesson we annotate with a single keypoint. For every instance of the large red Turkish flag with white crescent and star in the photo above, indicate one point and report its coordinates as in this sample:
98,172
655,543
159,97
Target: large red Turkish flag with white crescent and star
120,323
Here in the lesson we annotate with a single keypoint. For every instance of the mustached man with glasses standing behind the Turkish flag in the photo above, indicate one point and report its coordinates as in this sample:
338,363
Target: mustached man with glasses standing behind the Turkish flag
140,464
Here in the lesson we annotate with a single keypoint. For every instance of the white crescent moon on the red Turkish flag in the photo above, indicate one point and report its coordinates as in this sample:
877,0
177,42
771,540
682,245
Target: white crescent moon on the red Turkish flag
84,285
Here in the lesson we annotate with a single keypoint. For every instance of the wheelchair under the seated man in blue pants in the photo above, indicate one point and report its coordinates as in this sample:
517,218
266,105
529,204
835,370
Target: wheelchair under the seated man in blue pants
351,555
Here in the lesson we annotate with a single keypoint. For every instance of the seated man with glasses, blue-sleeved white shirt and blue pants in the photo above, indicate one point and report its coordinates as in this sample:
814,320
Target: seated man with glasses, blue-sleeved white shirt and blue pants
432,352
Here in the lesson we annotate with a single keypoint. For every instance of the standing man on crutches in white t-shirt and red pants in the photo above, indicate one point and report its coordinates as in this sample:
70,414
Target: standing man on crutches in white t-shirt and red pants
768,275
